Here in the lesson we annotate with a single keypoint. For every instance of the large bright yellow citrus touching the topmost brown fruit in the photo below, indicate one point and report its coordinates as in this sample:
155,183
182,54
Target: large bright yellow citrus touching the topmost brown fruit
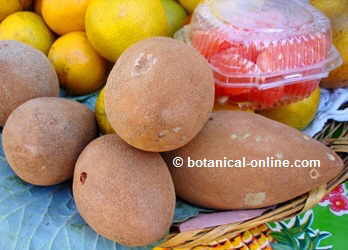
114,25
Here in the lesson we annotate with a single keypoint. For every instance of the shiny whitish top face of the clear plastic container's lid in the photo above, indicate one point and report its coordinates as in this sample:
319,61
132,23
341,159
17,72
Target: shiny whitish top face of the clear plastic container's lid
261,19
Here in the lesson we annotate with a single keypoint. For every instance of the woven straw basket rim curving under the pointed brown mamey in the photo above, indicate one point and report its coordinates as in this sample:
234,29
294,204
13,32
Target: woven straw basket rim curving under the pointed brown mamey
335,135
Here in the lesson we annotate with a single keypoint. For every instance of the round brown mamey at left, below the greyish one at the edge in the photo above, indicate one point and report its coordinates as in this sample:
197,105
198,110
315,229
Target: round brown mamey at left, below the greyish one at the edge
43,138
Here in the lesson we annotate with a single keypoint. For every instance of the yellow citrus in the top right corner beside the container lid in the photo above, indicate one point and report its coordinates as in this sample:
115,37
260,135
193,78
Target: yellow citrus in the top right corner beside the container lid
332,8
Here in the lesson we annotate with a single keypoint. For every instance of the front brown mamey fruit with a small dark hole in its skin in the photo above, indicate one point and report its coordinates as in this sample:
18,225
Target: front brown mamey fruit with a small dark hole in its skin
124,194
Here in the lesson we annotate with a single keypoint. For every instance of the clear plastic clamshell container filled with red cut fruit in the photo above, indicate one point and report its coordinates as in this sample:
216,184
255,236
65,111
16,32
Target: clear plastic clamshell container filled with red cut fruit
264,53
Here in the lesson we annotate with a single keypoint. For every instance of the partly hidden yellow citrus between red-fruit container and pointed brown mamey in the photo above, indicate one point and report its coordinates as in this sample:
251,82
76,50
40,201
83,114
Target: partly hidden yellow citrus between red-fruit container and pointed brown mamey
298,115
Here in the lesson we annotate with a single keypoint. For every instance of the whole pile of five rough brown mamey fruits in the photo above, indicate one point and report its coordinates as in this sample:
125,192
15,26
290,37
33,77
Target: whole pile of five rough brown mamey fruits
159,98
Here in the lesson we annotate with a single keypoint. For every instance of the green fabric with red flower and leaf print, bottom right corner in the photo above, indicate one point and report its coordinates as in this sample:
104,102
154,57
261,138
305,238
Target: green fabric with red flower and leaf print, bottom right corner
323,227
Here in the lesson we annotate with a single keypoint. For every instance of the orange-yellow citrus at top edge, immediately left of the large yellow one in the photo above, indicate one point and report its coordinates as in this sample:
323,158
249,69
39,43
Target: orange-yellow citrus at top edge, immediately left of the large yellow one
64,16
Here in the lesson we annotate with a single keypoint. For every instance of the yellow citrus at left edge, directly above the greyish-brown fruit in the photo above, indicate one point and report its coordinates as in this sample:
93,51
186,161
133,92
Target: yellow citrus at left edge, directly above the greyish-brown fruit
29,28
